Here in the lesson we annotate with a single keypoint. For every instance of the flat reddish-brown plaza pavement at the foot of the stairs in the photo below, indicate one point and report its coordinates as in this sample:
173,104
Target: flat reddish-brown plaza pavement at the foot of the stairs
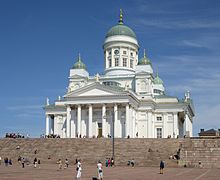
51,172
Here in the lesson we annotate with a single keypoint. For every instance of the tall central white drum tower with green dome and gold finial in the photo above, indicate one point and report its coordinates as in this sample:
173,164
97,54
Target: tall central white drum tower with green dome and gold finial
120,50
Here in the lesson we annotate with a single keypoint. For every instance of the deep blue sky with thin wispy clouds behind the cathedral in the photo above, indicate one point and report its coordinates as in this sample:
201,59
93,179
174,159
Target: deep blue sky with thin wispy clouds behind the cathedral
40,41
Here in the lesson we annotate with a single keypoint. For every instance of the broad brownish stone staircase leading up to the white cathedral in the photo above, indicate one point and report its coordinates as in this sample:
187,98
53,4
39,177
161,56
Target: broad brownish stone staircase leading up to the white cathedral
145,152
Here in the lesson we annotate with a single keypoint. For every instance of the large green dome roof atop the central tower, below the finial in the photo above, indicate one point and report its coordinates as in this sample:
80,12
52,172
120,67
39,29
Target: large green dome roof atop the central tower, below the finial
121,29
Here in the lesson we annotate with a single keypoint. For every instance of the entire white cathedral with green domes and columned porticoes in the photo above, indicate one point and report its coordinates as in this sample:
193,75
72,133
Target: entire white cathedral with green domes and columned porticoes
128,98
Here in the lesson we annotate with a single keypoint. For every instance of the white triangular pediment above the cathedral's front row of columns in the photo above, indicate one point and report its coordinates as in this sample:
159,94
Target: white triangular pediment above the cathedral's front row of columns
94,89
